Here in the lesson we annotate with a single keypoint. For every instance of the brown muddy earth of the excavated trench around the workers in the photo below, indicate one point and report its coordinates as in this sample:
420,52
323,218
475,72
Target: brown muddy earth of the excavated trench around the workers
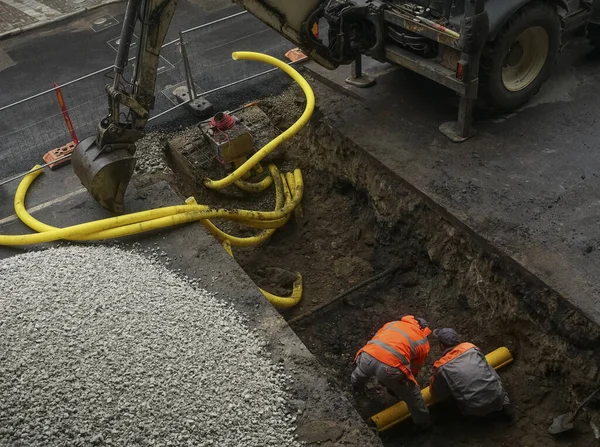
358,220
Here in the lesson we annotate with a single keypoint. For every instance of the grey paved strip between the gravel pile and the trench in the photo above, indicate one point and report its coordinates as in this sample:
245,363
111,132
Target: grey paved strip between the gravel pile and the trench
328,419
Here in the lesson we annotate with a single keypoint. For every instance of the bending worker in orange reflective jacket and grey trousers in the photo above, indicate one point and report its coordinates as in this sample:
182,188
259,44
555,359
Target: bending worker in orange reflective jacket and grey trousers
394,356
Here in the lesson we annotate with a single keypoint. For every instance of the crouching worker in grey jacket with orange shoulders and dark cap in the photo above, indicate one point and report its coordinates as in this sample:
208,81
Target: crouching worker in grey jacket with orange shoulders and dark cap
464,374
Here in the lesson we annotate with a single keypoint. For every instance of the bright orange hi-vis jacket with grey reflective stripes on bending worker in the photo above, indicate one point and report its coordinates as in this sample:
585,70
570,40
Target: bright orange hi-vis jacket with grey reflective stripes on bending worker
400,344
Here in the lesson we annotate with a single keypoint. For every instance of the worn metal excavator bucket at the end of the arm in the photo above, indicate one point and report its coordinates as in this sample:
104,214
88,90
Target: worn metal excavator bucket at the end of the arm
104,174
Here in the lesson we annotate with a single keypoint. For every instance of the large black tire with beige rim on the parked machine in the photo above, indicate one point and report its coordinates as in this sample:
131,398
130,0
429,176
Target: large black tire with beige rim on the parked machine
516,64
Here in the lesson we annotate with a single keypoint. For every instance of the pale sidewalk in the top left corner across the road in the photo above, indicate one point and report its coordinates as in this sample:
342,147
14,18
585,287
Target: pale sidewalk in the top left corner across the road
22,15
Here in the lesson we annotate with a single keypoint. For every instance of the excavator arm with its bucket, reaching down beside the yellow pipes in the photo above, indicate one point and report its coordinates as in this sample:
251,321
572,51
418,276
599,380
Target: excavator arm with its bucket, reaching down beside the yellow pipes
104,163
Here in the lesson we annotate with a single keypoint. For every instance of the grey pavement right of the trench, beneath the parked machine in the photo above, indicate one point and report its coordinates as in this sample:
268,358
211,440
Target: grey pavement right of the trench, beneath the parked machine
527,183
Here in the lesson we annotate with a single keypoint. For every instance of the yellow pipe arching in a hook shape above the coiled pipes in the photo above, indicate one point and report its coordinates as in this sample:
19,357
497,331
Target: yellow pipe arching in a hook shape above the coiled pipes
273,144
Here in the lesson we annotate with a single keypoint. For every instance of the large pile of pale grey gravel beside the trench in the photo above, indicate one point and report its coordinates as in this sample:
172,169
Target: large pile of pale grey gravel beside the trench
101,346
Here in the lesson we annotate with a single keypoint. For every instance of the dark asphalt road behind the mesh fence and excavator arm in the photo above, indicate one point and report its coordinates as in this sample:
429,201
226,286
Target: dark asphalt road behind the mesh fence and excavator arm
67,50
